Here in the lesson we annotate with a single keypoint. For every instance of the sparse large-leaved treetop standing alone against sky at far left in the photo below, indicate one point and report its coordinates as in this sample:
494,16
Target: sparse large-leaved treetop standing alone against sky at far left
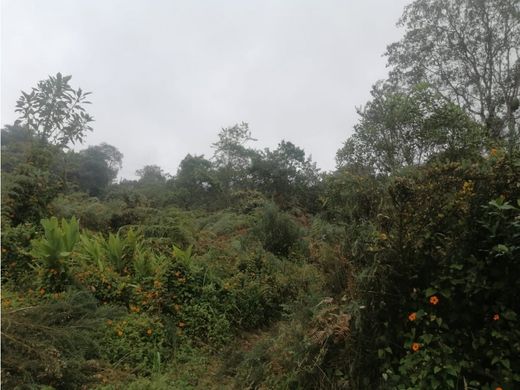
55,112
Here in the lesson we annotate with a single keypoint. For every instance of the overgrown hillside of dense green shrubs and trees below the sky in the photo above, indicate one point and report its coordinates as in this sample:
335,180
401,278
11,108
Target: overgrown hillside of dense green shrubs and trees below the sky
252,269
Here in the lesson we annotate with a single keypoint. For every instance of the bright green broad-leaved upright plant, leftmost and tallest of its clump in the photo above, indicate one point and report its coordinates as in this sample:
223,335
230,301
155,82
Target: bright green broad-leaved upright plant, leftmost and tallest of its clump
53,251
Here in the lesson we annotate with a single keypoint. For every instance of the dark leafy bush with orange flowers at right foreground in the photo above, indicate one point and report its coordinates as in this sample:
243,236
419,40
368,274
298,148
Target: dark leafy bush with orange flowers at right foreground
439,283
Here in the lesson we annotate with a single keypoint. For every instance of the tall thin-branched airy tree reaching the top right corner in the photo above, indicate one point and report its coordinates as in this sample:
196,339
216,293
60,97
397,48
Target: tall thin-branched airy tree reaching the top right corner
468,50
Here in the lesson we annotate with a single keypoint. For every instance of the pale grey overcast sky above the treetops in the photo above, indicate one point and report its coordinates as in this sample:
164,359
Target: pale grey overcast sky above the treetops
167,75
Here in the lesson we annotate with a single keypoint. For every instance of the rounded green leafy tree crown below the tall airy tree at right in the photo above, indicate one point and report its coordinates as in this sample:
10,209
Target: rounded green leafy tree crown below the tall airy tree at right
401,128
